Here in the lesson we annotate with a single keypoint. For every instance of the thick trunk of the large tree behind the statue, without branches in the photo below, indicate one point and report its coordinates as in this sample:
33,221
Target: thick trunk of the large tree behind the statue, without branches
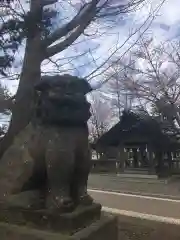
31,72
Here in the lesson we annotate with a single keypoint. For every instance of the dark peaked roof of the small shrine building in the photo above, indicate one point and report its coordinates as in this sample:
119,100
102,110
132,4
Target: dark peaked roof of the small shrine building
139,127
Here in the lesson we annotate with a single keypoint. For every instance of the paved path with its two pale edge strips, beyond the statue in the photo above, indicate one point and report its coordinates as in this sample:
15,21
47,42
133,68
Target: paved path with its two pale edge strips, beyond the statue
153,208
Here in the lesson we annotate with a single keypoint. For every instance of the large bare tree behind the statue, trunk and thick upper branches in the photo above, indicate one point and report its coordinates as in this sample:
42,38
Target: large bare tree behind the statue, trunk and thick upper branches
40,48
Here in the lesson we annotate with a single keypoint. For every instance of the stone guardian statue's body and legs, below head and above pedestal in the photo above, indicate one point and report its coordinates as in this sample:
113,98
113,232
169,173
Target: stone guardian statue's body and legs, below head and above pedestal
24,165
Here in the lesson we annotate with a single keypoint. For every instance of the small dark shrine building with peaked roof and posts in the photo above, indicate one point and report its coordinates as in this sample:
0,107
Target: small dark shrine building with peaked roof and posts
139,141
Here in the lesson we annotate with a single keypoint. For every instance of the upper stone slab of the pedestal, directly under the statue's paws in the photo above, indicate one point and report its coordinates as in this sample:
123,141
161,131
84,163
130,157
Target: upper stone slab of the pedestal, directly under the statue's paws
45,220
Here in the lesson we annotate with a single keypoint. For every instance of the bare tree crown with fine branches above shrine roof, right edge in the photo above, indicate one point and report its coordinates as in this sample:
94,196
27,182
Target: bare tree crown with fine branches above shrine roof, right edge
155,77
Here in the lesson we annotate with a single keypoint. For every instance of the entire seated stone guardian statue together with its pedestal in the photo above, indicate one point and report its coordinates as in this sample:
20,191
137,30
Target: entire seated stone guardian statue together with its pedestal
43,175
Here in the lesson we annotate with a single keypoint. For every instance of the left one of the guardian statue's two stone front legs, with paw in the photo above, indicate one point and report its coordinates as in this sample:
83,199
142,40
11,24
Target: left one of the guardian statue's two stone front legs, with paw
59,164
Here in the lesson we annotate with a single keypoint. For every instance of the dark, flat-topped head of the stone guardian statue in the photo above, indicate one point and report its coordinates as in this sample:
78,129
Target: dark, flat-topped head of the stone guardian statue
62,100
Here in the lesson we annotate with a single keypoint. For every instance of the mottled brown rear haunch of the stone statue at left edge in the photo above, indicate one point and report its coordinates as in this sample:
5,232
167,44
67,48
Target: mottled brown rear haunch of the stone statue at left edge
16,165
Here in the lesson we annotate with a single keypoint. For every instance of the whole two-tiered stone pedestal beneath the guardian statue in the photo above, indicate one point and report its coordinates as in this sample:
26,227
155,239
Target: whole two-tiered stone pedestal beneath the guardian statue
84,223
